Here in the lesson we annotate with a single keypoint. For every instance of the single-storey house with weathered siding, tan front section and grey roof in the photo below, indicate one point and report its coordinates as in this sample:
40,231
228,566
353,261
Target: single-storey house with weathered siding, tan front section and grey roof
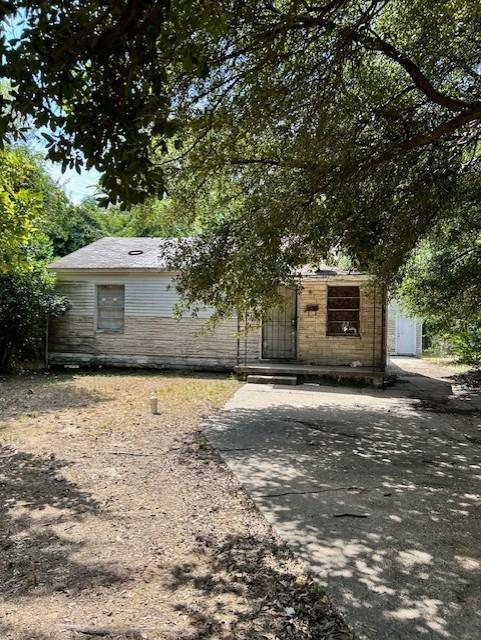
122,298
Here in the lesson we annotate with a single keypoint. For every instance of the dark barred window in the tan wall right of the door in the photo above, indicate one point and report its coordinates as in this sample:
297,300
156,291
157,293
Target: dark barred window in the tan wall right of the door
343,304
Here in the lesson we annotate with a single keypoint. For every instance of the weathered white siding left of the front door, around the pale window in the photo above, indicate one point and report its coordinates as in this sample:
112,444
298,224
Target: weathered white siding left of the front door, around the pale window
151,336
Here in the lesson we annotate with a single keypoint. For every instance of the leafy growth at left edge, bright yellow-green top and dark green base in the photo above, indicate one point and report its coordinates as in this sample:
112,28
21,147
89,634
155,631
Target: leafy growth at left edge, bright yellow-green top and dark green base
30,203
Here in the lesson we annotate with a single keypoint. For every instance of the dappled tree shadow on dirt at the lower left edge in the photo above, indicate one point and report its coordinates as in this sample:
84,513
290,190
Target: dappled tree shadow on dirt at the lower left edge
38,508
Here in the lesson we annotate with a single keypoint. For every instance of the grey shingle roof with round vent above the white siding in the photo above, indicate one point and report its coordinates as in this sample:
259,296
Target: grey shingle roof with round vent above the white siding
116,253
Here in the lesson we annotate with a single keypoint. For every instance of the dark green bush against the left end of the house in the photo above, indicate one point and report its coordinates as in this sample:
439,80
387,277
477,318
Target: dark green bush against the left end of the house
27,299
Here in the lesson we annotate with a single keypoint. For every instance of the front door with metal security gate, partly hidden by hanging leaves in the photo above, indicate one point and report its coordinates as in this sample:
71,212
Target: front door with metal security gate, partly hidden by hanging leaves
279,329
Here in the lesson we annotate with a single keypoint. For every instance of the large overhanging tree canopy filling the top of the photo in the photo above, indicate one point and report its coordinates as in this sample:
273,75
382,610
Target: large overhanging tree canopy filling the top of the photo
296,128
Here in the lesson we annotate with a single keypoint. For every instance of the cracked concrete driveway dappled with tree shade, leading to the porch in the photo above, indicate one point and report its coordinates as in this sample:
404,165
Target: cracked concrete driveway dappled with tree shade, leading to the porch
378,491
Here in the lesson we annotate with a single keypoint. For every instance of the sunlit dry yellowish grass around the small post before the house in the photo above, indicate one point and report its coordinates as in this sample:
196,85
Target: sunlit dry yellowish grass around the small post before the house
108,399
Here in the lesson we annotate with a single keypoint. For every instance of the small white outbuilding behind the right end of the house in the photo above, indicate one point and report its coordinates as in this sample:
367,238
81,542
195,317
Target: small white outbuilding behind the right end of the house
404,333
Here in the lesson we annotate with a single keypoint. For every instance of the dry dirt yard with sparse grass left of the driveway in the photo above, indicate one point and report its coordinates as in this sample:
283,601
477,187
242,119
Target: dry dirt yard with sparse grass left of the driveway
126,525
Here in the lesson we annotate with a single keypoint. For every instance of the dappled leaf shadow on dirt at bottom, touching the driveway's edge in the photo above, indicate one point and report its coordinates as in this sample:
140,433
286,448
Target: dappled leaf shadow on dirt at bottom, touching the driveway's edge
277,601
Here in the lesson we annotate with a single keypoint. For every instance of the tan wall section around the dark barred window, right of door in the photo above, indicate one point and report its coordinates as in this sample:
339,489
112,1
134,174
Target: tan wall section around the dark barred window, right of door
315,347
